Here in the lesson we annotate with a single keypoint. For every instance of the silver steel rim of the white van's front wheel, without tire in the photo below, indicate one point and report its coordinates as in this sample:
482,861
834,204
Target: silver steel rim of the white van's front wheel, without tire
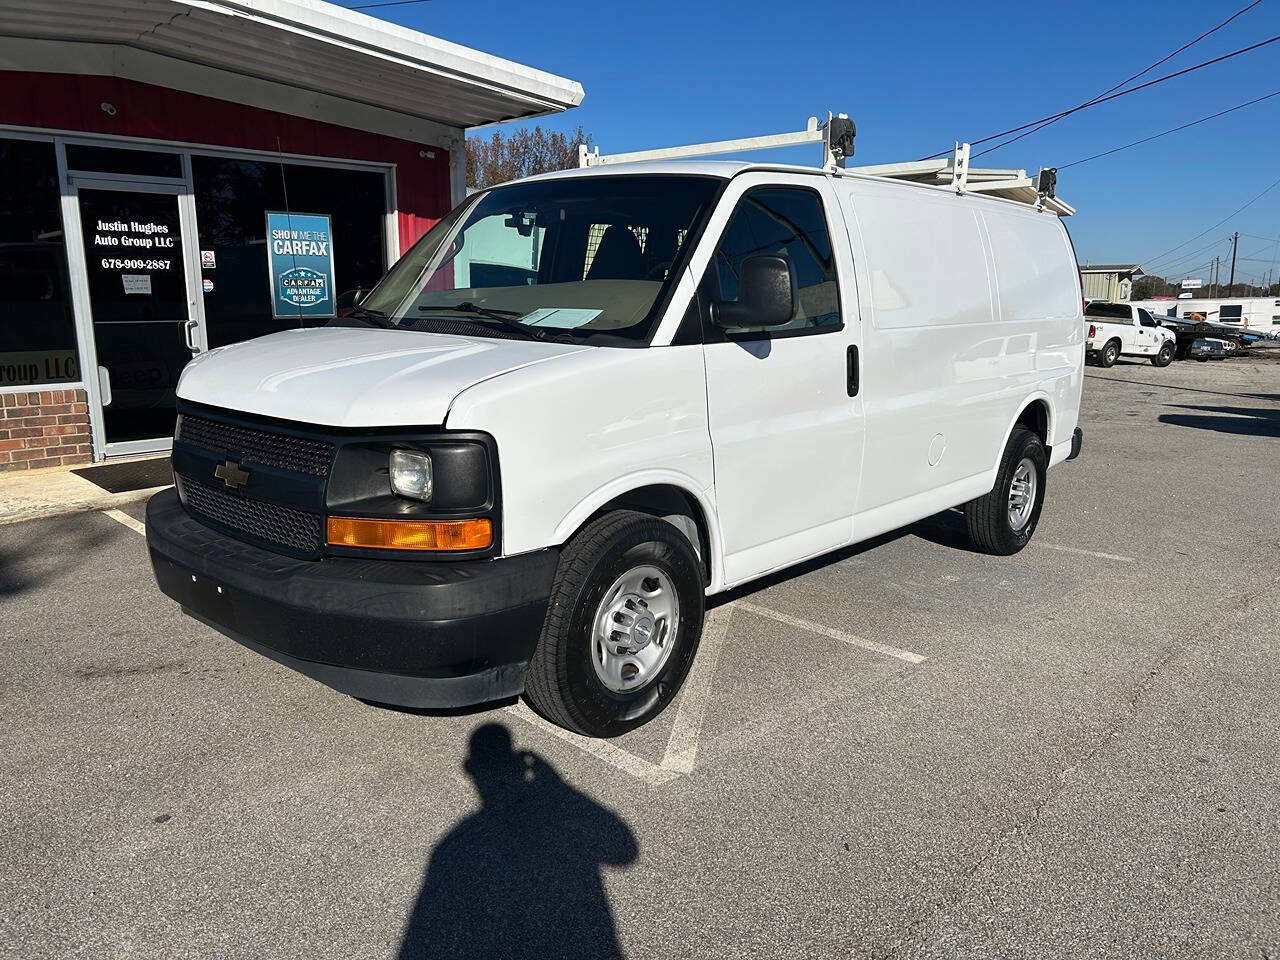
636,629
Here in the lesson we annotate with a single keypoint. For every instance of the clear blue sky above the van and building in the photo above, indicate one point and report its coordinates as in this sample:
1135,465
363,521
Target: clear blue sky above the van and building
920,76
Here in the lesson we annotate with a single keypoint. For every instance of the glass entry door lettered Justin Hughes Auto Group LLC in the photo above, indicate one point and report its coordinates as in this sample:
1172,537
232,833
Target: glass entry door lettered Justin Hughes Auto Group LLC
143,303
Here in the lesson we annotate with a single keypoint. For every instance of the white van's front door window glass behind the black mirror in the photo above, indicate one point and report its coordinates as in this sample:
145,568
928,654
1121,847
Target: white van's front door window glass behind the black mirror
788,222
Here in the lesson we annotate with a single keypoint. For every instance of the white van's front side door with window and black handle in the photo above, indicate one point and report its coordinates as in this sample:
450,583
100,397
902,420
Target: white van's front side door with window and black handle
784,404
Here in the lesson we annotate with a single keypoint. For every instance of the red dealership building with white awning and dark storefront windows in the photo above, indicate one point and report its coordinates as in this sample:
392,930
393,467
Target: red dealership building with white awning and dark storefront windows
176,176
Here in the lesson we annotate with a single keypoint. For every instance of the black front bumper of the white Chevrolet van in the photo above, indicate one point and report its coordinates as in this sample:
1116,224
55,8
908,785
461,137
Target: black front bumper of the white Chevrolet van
405,633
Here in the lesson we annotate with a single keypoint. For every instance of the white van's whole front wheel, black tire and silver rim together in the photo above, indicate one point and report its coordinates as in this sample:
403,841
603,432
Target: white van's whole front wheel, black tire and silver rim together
623,627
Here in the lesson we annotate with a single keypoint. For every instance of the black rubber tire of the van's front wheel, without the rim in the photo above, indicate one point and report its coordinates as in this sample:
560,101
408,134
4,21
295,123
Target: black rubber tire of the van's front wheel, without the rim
563,684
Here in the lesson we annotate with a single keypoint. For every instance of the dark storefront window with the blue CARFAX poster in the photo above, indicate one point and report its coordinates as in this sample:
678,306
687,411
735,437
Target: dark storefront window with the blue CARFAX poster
234,199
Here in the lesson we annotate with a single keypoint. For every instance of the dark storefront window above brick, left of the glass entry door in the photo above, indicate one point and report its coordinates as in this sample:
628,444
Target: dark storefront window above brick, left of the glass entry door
38,331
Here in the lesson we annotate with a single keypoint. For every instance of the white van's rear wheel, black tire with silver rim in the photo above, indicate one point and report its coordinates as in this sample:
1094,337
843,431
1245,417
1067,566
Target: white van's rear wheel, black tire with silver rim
1004,520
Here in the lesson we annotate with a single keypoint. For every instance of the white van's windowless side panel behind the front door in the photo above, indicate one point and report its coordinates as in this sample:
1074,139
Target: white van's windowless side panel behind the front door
966,319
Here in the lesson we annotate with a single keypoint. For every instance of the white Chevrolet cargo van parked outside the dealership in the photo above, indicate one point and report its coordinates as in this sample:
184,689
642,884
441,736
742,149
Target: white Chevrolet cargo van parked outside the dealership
587,401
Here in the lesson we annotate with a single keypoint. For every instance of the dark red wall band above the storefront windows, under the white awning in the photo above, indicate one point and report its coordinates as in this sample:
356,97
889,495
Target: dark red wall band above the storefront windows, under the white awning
72,103
